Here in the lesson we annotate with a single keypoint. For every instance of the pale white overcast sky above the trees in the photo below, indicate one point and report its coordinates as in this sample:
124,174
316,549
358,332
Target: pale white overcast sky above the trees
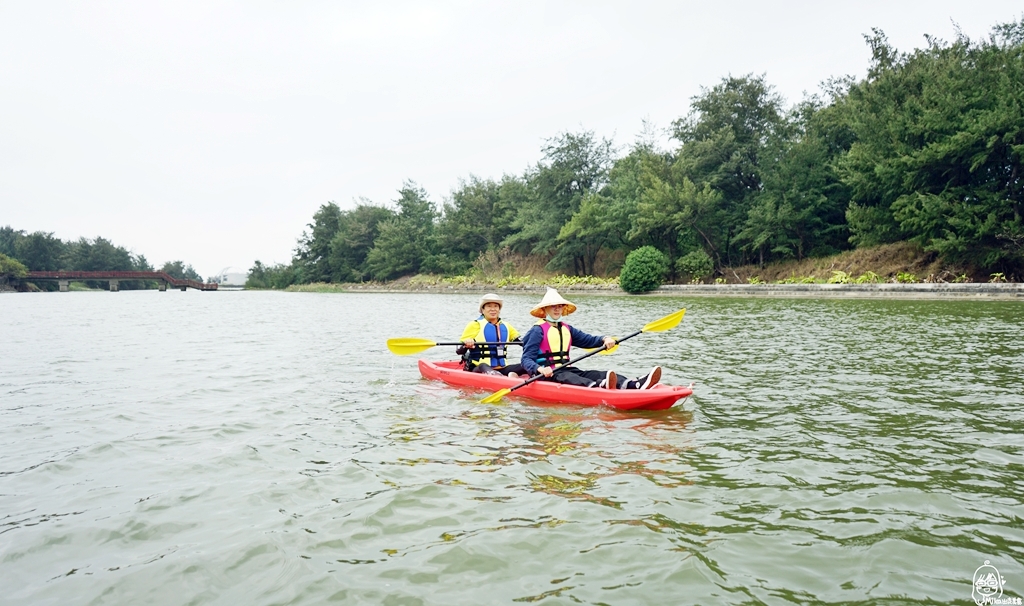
212,132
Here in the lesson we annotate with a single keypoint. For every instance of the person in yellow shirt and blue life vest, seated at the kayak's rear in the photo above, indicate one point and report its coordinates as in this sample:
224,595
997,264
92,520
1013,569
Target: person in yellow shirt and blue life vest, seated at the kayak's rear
489,328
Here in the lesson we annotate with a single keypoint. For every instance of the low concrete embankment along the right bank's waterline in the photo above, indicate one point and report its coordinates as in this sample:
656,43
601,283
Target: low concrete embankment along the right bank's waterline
990,292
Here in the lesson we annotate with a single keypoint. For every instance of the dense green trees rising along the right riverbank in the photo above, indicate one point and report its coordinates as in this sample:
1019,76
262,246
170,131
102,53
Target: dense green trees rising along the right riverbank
928,149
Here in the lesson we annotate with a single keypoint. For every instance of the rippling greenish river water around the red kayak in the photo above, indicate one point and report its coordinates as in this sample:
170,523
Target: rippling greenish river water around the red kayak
254,448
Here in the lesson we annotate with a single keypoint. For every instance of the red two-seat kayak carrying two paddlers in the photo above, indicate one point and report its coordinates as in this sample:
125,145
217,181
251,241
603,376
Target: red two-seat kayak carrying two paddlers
656,399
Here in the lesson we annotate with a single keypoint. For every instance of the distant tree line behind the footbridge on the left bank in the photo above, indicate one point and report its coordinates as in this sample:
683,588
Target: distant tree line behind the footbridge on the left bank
41,251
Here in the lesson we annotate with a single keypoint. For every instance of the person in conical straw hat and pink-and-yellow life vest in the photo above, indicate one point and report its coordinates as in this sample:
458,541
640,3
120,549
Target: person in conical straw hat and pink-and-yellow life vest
547,345
